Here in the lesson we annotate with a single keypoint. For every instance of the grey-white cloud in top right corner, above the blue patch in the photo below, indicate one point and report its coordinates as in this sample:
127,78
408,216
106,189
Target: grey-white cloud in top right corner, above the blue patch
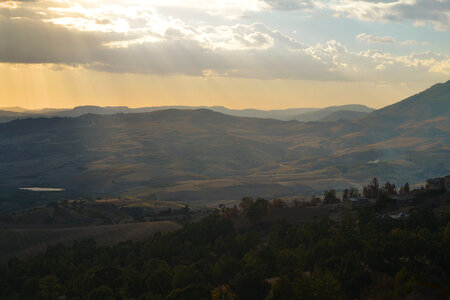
435,12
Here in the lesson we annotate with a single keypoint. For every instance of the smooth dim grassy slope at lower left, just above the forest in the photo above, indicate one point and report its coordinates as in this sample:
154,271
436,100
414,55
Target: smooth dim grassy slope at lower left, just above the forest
24,243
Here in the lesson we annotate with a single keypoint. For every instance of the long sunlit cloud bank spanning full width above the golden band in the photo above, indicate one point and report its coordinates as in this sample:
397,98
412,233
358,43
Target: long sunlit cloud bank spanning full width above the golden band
139,39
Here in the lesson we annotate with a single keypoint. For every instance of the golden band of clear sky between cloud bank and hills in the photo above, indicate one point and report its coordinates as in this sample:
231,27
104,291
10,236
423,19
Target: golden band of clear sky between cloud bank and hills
38,86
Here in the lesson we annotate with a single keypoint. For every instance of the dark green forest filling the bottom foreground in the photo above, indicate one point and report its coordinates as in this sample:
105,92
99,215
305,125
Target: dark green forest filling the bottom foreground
365,257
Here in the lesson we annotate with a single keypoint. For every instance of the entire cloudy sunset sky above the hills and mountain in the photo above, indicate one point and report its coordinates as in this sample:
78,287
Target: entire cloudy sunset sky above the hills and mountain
266,54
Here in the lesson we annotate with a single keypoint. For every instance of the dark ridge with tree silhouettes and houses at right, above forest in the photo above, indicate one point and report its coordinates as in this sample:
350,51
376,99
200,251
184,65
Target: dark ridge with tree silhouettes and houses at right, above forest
386,199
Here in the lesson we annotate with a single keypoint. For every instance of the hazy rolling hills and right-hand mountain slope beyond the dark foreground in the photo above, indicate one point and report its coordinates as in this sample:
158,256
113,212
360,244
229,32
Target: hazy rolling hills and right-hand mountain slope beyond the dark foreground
201,156
